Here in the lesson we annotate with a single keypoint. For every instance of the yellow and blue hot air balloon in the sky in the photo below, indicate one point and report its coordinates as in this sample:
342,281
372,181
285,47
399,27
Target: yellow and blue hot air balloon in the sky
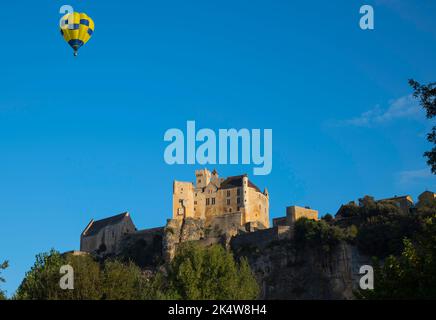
76,28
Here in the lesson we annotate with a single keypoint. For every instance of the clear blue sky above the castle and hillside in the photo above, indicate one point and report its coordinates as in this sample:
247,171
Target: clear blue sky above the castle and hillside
82,137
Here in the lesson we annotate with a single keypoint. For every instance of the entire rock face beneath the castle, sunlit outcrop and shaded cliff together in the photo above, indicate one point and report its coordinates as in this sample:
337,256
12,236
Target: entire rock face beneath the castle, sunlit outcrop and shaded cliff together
283,268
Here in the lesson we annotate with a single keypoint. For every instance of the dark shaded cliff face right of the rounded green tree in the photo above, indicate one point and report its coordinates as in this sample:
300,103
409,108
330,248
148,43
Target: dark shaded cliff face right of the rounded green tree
286,271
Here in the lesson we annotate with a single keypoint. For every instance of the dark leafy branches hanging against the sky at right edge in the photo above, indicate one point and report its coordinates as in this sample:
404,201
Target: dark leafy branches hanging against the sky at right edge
427,99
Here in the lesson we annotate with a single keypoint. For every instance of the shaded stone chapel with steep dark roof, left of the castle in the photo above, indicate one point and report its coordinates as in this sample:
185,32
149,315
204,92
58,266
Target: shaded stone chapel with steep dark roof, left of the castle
104,237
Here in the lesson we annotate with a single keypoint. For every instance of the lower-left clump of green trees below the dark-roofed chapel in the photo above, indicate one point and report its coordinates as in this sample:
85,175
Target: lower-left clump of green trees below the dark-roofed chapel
114,280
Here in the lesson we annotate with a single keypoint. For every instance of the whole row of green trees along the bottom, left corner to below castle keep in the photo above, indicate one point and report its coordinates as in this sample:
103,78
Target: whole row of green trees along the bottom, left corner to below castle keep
195,273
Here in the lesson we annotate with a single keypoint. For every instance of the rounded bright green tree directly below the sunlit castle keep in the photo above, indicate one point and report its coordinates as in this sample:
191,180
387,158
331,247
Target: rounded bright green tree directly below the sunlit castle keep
198,273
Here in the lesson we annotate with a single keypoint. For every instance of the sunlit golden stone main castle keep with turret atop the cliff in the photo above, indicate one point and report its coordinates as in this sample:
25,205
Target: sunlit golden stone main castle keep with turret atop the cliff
212,198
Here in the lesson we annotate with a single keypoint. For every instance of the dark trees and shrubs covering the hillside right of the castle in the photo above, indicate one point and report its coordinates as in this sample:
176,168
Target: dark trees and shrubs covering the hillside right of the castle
403,245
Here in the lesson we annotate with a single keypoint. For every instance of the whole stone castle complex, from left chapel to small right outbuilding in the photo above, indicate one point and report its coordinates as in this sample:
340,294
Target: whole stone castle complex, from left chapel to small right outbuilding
211,210
